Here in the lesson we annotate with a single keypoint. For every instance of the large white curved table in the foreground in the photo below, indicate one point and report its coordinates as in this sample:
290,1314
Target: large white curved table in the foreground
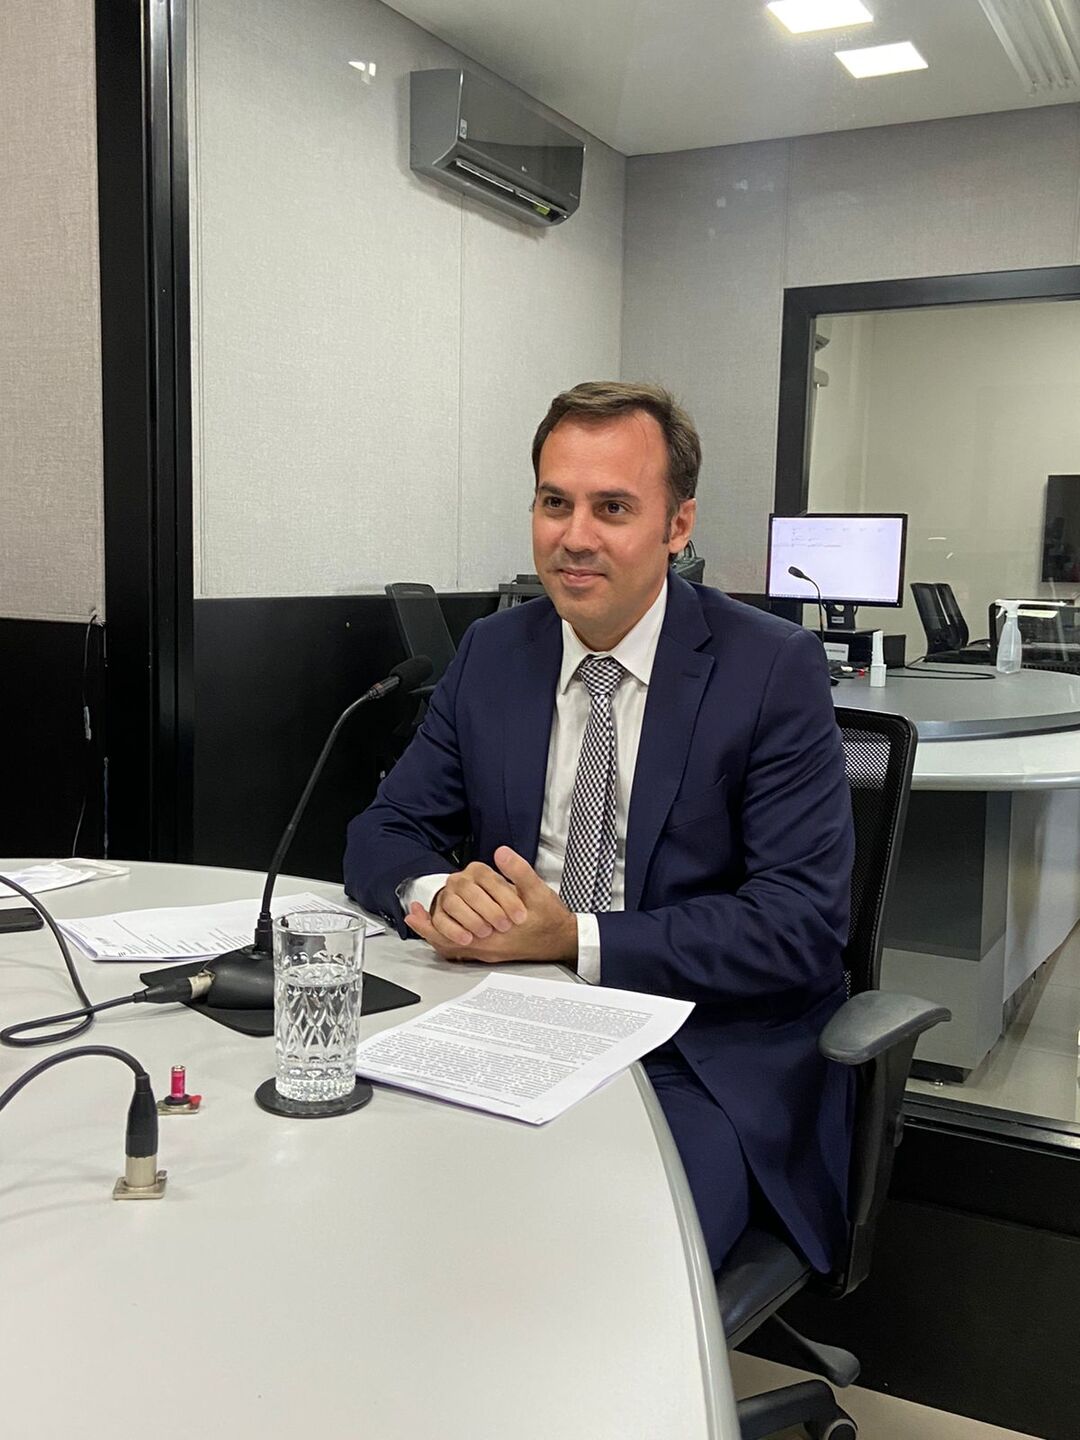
410,1272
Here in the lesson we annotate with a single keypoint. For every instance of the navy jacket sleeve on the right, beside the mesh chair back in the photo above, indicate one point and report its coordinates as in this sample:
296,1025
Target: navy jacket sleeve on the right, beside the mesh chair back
781,931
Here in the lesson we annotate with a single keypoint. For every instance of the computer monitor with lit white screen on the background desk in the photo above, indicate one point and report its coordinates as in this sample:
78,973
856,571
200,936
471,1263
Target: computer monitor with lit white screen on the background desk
855,561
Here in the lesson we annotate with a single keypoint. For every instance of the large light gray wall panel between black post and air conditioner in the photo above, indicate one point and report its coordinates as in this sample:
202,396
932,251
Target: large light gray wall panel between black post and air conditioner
328,306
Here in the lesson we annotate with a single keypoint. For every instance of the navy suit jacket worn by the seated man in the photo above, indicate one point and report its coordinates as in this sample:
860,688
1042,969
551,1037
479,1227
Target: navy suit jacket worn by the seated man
739,856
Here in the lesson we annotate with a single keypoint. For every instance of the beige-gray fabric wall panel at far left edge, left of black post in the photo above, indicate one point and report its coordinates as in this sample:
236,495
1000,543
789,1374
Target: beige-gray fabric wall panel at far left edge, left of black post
51,480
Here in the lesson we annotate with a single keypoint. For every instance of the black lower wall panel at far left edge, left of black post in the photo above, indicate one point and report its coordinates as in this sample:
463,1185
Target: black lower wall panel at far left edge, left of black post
50,767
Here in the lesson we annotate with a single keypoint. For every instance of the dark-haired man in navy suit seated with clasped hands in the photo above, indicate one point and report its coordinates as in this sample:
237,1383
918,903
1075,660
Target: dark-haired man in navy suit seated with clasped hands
653,783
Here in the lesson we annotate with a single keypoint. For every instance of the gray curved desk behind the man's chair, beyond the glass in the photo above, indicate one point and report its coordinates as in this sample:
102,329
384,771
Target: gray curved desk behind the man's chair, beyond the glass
990,870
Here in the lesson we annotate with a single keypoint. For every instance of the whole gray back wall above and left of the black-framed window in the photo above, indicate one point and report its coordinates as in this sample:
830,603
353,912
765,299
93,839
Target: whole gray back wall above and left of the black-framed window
714,237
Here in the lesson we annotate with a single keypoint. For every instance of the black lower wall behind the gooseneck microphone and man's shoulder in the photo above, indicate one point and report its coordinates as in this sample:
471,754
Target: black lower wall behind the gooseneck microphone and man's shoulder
273,676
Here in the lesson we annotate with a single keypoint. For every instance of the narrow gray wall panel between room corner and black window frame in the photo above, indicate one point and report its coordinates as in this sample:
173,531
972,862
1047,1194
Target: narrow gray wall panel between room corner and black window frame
702,315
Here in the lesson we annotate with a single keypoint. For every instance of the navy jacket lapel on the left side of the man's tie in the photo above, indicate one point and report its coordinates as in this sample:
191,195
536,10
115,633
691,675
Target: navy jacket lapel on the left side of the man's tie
529,705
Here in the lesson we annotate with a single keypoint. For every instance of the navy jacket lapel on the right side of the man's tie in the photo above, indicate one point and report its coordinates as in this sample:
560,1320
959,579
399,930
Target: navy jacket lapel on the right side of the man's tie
678,685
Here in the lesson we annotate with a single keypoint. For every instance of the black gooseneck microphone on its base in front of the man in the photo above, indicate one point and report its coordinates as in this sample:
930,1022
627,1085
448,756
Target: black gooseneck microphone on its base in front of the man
244,980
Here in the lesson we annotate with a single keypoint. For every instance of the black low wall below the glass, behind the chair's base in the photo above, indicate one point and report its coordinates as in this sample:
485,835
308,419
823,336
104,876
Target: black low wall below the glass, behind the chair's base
971,1300
